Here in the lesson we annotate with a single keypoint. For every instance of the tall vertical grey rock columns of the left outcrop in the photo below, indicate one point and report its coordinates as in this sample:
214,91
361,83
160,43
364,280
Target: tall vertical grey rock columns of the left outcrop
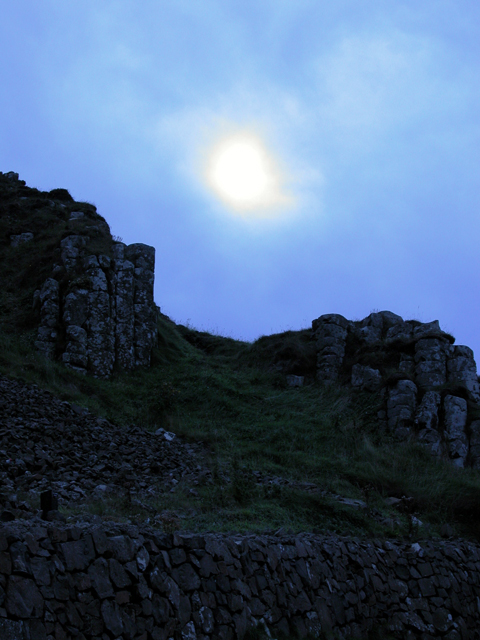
98,311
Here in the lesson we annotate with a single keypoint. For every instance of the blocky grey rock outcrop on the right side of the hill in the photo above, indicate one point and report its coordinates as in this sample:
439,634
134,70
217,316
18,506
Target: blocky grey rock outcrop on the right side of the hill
427,386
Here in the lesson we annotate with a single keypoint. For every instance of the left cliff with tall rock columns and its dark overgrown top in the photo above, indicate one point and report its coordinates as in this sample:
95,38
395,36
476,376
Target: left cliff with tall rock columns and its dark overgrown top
95,309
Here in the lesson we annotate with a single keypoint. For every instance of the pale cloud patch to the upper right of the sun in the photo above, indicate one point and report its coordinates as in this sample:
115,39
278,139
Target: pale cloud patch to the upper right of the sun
370,85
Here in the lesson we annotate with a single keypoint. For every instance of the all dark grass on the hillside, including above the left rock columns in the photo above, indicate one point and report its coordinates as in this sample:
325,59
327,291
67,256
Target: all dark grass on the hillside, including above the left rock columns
233,396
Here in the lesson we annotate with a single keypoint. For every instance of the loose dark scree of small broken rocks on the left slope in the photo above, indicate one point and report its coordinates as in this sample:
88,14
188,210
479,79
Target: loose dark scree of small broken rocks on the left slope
74,452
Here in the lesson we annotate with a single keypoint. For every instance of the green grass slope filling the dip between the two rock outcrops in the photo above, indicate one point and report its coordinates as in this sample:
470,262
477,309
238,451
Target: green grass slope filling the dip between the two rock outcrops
219,392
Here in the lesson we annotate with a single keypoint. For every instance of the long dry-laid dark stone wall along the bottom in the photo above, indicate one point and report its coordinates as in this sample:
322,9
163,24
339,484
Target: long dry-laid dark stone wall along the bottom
121,582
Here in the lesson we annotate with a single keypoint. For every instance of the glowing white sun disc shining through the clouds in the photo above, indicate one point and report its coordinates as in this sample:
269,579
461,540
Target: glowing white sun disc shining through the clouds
243,174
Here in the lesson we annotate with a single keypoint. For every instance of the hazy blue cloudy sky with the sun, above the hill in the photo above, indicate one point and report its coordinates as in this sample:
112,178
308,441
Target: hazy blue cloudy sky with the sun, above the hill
360,122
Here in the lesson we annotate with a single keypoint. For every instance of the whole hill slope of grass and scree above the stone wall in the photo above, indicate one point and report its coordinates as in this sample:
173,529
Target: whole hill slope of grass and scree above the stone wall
257,454
